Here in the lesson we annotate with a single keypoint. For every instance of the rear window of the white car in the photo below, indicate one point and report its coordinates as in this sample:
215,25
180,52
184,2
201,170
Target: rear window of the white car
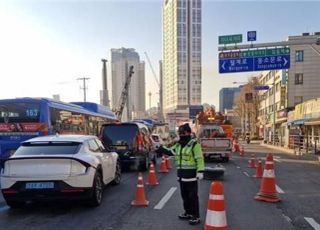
48,148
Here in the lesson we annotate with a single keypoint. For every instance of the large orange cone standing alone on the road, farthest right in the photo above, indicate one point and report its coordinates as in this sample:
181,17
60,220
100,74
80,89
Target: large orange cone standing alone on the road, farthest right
268,191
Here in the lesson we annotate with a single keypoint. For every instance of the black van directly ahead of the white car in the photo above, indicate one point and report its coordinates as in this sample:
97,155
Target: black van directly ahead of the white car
131,140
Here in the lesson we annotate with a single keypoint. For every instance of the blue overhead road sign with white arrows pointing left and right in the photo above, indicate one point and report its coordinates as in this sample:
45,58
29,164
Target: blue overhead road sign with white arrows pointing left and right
235,65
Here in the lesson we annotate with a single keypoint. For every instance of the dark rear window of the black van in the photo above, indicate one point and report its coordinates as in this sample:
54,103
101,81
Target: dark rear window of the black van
119,134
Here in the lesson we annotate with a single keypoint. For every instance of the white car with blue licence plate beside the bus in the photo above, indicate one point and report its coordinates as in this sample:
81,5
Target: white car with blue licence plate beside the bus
59,167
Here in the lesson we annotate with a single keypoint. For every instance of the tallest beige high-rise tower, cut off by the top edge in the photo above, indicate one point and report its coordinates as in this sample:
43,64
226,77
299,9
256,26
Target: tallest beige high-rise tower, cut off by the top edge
181,54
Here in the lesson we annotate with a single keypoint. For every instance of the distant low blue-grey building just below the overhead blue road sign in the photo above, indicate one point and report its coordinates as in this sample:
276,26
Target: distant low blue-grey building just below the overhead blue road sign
226,97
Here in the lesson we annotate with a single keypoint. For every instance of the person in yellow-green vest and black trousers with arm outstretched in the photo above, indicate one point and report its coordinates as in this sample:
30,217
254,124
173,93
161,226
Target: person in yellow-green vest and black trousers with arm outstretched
190,167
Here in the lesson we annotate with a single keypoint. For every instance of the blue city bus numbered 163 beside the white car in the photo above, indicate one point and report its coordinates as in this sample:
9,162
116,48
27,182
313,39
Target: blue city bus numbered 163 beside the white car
25,118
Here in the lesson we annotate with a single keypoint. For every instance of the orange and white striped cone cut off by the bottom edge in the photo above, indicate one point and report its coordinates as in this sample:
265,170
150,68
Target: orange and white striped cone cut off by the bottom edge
216,214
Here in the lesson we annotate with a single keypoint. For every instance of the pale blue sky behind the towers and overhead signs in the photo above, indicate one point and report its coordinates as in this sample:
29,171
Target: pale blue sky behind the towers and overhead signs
52,43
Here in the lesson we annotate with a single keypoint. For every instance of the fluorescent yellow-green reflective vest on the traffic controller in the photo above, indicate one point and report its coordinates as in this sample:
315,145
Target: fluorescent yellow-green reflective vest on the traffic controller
189,159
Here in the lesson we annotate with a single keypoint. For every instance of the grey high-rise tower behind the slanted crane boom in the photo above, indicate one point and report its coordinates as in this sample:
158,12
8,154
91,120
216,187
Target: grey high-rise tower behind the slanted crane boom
121,60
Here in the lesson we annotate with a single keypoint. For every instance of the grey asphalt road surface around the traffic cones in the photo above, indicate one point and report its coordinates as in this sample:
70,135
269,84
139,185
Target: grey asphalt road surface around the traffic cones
296,176
